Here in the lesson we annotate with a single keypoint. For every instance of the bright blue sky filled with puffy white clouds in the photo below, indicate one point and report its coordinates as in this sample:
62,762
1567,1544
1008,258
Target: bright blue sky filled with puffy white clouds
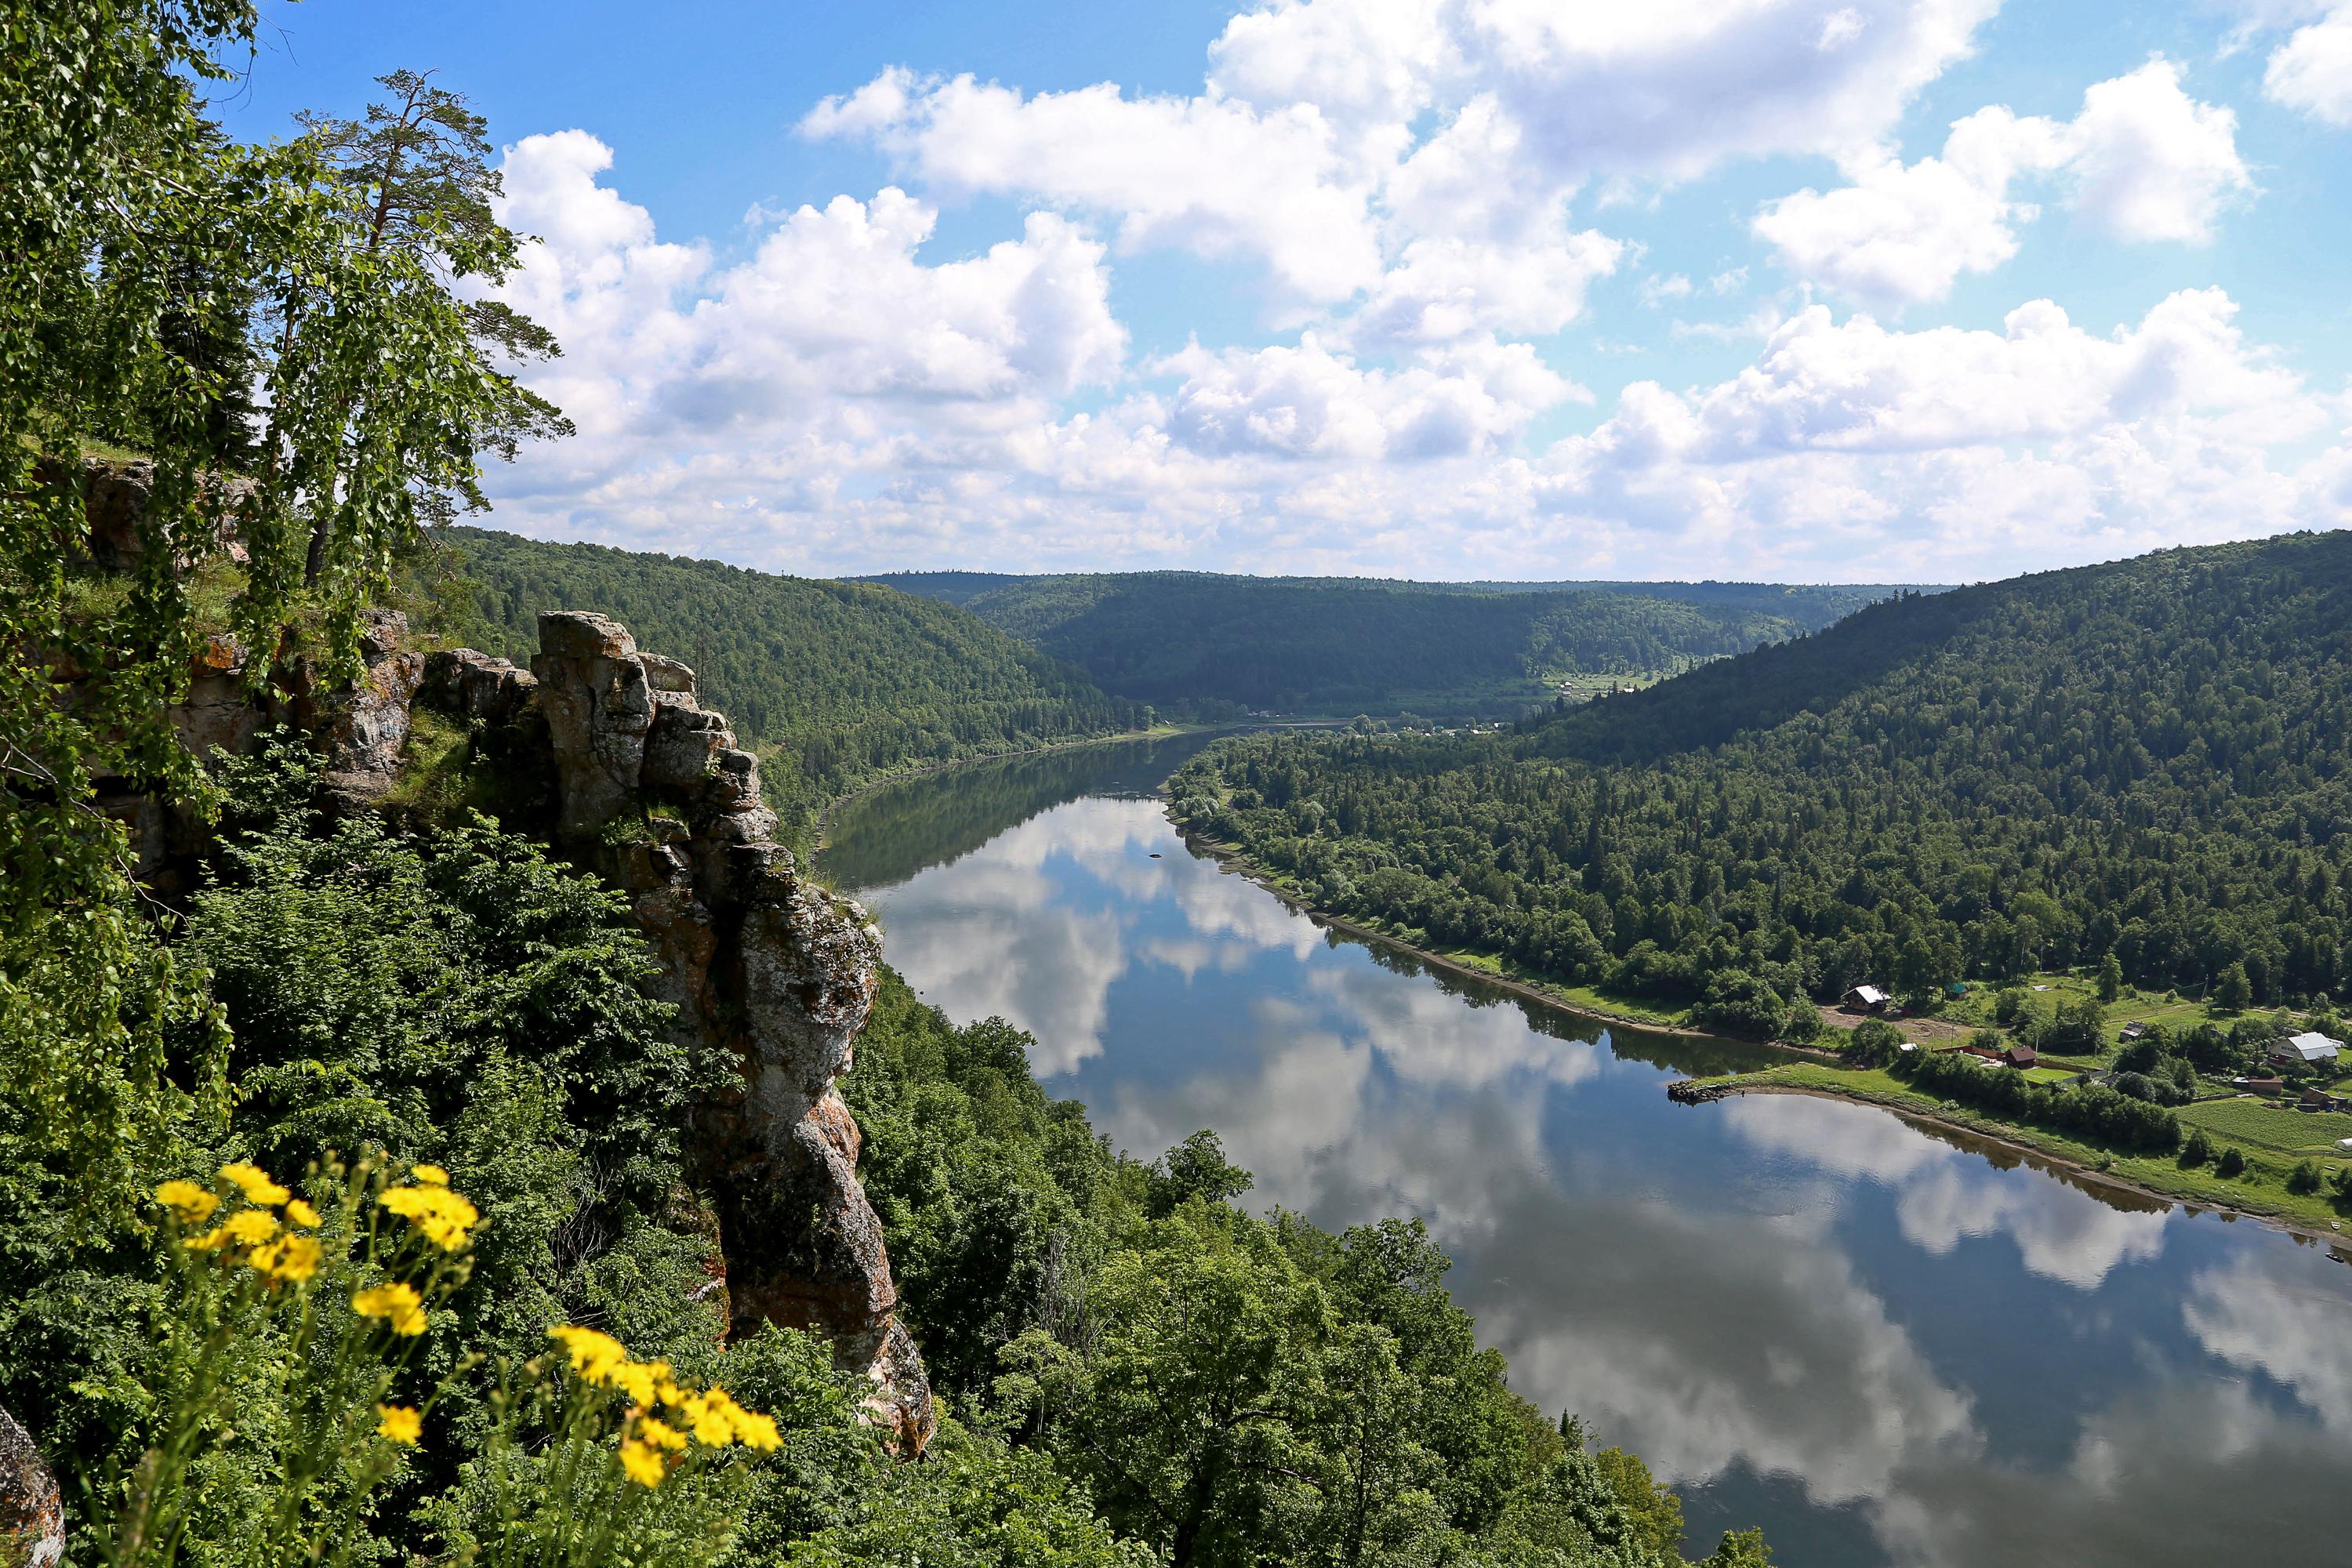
1422,288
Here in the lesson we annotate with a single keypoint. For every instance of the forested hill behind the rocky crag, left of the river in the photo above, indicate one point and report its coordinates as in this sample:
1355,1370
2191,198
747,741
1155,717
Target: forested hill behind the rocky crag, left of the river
834,683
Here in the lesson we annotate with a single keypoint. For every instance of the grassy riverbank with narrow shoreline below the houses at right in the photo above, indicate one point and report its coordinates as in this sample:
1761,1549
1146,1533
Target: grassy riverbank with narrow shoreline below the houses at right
2259,1195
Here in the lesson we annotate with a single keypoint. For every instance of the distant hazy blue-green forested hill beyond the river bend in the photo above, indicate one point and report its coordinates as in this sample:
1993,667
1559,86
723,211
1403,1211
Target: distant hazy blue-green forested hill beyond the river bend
1339,645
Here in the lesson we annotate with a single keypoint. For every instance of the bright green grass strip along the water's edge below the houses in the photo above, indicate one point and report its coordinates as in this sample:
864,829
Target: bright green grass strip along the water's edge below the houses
2259,1191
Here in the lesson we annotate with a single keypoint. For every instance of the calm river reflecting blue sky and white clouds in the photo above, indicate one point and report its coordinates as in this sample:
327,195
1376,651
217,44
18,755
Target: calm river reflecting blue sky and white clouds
1878,1343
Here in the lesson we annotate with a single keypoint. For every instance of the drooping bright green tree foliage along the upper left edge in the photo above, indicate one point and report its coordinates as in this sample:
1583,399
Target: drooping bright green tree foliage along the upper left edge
149,272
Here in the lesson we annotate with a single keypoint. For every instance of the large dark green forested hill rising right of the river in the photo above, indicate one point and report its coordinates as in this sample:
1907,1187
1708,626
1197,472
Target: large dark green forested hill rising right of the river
2149,758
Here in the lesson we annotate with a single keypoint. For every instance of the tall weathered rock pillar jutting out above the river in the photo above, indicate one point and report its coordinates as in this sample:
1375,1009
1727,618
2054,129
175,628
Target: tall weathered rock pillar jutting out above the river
655,791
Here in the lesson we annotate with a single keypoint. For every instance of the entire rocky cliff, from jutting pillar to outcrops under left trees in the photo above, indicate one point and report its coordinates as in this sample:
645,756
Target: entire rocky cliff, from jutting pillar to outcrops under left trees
648,789
